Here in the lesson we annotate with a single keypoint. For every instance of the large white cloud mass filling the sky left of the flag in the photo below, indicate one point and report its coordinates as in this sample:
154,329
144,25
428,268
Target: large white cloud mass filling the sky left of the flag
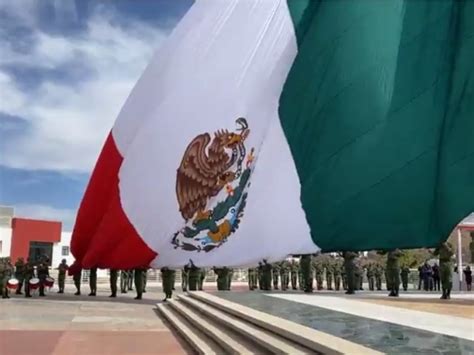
70,120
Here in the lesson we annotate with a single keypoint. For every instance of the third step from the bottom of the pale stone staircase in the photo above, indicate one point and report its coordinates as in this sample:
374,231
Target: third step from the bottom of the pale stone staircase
265,341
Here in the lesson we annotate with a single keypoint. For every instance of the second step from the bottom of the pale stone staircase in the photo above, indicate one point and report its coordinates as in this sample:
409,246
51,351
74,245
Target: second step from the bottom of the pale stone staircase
230,342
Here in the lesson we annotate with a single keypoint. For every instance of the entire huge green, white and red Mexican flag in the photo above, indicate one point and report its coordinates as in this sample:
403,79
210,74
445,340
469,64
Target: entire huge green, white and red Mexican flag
276,127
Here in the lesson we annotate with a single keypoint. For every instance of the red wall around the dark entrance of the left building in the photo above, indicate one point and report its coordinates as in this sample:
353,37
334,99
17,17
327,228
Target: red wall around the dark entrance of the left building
25,231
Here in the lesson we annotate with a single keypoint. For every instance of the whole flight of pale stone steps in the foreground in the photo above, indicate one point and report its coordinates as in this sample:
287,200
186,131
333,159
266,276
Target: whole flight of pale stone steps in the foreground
212,325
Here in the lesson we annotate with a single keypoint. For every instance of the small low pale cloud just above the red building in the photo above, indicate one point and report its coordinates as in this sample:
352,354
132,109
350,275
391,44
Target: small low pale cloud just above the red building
45,212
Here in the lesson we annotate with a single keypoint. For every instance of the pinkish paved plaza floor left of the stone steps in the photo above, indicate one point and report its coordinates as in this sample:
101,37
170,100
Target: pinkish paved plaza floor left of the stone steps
67,325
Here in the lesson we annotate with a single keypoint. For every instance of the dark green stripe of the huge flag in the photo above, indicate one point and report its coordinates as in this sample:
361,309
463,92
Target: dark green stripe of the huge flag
378,110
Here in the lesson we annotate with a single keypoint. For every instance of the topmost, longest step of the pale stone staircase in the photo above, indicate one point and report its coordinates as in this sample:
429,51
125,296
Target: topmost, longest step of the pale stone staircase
299,336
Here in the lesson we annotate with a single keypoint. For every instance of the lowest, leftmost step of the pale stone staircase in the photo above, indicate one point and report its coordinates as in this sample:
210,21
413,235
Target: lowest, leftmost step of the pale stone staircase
198,342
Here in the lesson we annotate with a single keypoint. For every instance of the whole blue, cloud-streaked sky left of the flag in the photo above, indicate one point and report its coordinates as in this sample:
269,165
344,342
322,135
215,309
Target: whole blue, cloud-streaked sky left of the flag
66,69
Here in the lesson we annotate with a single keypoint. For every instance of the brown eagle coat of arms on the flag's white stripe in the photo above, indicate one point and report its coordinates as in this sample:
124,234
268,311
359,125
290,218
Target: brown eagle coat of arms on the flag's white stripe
211,187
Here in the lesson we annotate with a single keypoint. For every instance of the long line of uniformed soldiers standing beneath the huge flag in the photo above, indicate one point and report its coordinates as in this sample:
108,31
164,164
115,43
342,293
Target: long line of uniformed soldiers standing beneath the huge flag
340,271
